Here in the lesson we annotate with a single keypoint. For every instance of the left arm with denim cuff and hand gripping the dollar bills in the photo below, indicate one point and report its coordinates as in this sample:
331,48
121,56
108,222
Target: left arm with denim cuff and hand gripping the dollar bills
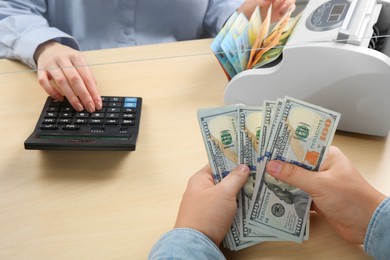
200,225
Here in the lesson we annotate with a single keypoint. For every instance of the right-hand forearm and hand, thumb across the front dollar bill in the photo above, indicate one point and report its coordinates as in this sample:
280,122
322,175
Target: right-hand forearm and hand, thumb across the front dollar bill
340,194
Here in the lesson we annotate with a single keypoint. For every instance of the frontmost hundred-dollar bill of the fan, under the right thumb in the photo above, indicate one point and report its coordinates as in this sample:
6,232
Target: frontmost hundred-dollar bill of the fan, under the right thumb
302,136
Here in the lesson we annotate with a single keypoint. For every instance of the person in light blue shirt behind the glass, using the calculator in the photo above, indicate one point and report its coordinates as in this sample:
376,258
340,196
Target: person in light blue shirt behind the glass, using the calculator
49,34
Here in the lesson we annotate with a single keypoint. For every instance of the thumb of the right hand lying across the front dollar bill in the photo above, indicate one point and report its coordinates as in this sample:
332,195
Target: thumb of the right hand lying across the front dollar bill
293,175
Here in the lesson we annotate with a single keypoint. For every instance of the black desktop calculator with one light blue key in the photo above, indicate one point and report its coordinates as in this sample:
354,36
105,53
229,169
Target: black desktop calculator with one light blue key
114,127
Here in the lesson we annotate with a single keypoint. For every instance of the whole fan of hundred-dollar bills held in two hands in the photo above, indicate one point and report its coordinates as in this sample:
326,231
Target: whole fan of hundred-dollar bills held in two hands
287,129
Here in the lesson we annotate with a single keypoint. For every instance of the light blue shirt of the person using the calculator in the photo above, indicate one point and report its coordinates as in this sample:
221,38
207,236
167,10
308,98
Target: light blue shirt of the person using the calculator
100,24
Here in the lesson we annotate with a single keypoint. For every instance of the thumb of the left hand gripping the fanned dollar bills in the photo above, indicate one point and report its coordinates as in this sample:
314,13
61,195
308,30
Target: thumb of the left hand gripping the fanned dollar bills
236,179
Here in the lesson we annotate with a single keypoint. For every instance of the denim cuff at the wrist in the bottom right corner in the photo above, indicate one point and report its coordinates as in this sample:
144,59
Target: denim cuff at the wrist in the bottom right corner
377,240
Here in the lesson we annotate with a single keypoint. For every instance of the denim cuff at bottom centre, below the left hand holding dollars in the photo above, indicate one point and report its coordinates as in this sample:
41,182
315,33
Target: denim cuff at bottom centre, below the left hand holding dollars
184,243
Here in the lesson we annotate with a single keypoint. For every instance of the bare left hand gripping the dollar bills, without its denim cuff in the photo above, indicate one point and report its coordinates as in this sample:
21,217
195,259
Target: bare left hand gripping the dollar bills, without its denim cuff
202,201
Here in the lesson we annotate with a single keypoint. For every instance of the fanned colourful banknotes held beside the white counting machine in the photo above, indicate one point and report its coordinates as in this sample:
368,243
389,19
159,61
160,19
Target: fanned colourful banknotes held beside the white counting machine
244,44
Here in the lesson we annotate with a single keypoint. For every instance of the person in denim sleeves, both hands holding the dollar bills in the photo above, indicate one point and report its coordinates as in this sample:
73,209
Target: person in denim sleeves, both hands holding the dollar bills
357,211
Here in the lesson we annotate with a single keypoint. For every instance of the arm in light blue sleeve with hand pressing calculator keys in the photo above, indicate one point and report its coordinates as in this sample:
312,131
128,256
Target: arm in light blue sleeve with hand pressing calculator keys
28,37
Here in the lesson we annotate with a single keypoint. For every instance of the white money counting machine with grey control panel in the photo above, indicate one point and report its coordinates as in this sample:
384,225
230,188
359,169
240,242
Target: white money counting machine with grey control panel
337,57
